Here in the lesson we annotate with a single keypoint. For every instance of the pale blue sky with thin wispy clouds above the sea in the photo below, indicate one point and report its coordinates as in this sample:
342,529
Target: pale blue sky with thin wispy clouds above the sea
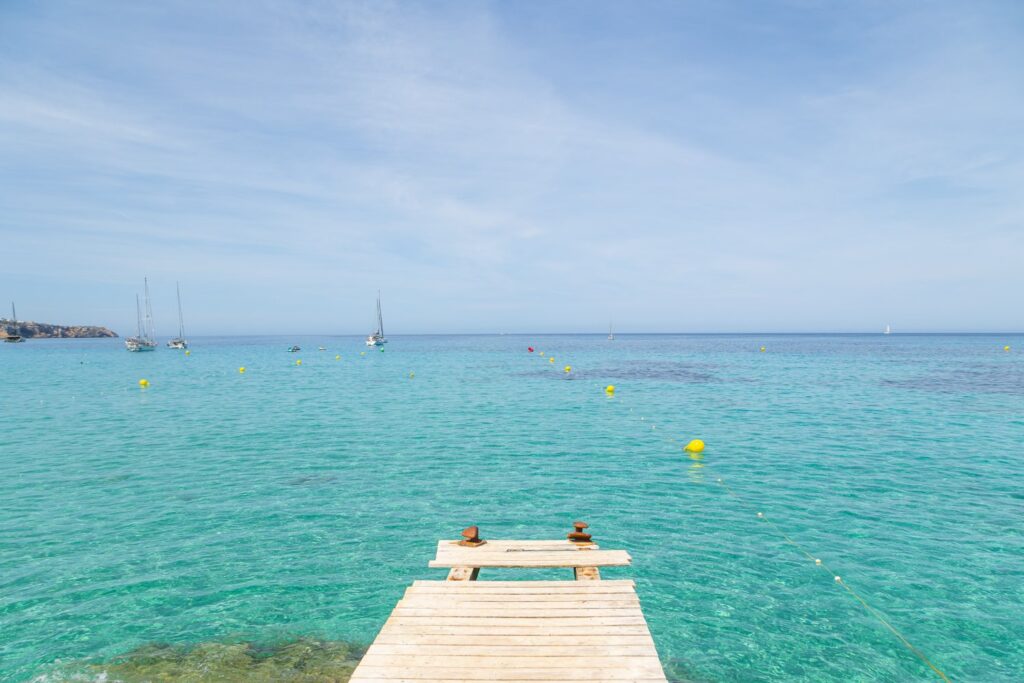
530,166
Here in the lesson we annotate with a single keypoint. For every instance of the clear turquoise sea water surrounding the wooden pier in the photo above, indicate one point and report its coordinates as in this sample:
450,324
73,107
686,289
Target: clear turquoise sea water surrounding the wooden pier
243,518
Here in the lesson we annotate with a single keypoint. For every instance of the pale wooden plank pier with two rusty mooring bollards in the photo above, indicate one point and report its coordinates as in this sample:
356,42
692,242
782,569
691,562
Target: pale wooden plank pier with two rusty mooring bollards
468,630
